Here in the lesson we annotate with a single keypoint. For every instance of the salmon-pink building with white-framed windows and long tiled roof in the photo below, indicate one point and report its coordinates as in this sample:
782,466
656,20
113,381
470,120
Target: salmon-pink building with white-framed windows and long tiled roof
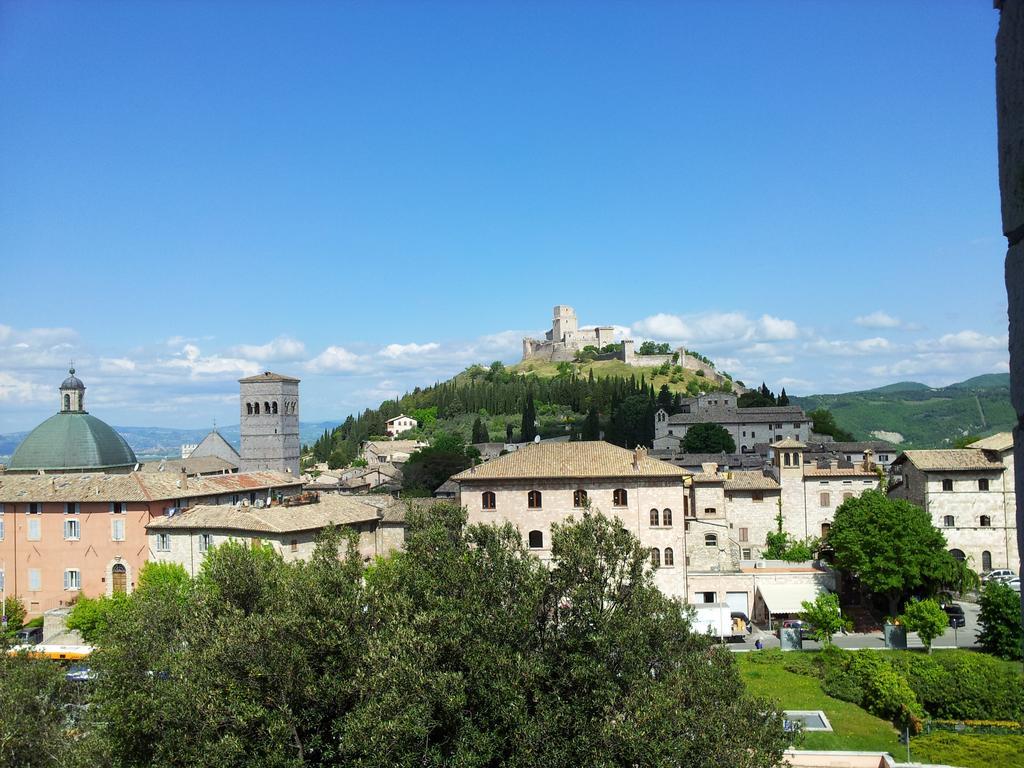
84,534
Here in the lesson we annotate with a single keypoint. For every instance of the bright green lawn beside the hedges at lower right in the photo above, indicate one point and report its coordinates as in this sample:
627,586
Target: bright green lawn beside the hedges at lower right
854,729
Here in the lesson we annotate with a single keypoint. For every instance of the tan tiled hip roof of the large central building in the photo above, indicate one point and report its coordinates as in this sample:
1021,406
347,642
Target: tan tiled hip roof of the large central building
581,459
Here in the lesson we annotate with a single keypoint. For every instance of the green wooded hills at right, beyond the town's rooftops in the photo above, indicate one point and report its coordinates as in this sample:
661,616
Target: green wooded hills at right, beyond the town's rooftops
915,415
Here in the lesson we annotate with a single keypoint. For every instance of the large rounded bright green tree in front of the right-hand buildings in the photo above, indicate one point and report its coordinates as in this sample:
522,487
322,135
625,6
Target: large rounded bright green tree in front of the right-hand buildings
890,546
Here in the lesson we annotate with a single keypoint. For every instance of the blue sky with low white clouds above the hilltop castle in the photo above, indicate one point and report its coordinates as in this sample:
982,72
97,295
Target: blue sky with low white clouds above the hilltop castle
372,196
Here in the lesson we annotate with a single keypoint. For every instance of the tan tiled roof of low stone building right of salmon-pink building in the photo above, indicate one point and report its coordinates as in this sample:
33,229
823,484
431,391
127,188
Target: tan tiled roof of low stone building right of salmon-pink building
330,510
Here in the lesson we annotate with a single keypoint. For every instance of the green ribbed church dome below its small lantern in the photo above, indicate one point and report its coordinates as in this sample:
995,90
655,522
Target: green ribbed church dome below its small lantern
73,442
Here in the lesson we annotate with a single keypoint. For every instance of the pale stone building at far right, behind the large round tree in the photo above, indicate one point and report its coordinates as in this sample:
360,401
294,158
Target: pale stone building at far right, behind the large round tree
970,494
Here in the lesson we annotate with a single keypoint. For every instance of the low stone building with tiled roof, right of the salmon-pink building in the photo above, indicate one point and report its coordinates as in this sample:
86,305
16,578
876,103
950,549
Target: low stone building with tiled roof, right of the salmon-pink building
290,529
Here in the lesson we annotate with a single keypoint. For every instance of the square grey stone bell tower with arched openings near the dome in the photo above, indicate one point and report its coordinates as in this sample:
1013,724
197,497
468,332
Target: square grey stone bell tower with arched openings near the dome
270,415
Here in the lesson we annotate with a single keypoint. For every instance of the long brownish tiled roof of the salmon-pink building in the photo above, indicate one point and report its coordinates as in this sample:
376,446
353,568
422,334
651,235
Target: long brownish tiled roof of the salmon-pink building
134,487
